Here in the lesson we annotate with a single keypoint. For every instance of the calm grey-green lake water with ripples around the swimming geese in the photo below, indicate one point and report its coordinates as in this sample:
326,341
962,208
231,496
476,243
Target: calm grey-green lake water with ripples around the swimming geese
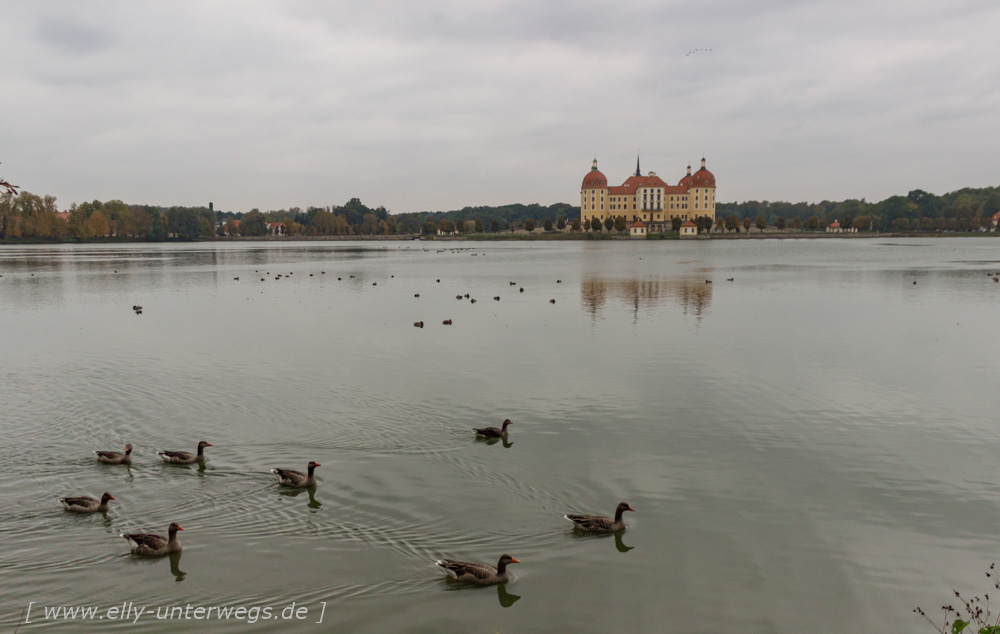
810,447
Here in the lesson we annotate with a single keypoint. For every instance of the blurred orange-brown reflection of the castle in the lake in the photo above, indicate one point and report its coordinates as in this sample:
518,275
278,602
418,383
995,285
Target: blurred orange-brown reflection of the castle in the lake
692,295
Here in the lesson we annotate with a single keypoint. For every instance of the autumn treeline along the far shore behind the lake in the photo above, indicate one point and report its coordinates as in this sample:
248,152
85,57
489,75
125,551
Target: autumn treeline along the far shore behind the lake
27,217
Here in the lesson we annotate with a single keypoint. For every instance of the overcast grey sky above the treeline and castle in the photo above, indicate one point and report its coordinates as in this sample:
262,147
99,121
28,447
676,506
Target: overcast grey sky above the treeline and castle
438,105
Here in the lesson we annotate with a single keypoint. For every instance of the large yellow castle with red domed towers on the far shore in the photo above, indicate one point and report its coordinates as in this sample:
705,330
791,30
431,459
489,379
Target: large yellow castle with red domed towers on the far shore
648,198
